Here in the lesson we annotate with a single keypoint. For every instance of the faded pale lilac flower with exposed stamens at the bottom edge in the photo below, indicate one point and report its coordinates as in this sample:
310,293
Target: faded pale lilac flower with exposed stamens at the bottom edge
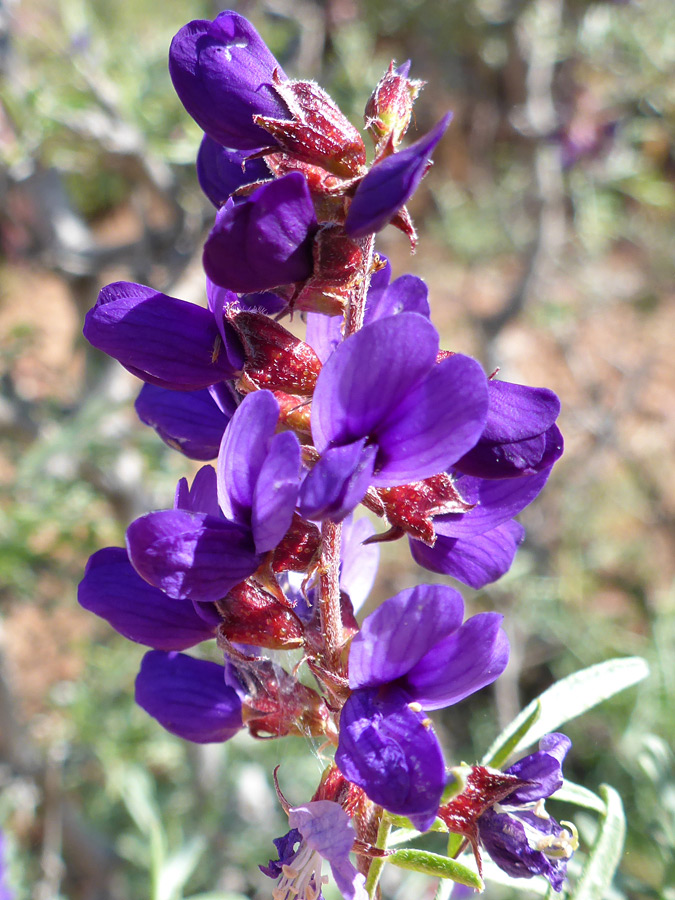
320,831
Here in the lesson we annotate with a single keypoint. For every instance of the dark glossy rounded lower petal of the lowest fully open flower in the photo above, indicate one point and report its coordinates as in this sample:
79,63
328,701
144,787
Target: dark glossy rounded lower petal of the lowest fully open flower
391,752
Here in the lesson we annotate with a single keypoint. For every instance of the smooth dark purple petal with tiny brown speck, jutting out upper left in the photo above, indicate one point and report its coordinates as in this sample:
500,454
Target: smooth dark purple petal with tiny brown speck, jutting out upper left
160,339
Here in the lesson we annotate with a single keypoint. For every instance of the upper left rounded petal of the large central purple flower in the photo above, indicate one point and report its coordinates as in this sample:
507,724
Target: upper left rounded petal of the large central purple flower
352,399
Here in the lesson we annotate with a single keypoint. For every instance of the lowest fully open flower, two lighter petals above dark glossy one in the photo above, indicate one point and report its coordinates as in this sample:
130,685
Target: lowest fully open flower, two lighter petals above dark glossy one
413,653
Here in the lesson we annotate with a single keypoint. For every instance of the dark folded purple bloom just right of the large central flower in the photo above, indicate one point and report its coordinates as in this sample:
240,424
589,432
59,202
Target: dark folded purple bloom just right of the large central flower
520,436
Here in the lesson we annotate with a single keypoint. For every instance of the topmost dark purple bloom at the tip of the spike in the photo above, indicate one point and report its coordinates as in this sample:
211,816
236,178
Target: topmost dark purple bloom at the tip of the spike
222,71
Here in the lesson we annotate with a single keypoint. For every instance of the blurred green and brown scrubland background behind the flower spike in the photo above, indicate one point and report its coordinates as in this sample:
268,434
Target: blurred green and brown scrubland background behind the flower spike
546,232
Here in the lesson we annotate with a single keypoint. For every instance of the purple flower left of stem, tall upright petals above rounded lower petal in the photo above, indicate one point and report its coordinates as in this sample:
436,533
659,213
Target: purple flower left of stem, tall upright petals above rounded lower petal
215,538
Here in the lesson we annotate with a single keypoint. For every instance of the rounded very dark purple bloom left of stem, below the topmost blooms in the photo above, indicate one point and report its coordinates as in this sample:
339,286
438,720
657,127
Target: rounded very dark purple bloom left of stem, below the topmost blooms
265,240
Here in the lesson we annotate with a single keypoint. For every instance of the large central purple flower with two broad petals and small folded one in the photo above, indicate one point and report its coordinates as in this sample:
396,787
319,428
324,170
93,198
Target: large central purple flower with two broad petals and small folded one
397,418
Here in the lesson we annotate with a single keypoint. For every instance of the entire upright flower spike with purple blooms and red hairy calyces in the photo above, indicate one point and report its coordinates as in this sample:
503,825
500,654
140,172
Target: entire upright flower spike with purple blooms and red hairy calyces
264,551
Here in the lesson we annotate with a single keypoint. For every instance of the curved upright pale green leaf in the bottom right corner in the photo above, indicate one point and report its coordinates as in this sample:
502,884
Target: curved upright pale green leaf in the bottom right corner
596,878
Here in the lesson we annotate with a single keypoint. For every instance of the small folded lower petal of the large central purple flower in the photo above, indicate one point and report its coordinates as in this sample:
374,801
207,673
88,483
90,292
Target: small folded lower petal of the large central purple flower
337,482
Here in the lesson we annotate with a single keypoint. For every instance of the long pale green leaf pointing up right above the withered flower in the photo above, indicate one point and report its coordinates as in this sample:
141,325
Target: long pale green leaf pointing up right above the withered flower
572,696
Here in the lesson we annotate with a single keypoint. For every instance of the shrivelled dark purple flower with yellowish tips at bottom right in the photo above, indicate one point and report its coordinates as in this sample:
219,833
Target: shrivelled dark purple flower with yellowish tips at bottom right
518,833
